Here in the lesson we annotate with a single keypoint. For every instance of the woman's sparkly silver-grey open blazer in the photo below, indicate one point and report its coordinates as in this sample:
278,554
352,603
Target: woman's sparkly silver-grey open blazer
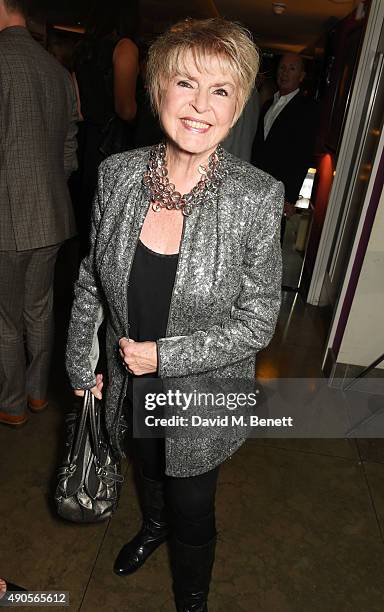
225,299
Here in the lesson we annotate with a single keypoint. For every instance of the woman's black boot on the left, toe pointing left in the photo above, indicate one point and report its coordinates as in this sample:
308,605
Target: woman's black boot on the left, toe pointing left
153,532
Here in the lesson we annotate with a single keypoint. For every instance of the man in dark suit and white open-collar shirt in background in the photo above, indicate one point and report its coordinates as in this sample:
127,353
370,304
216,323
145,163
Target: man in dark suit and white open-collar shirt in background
285,137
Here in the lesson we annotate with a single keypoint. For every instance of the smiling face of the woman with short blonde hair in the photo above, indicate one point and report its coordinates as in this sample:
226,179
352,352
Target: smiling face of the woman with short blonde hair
198,108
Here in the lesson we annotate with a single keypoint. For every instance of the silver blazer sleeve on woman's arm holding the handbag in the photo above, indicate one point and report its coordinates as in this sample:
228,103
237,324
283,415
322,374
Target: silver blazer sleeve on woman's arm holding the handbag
87,311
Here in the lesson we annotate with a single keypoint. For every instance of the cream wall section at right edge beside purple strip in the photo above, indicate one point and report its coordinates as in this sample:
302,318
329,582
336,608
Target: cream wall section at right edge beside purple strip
363,339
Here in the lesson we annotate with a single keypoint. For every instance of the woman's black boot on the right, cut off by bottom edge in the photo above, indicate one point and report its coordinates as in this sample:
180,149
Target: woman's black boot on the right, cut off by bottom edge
192,569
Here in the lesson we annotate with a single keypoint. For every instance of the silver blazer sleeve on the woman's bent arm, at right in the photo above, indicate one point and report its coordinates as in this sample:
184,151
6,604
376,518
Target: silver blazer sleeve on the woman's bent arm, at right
253,317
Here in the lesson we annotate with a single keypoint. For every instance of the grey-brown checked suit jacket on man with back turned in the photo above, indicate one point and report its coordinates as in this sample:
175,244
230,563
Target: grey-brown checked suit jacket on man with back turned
37,144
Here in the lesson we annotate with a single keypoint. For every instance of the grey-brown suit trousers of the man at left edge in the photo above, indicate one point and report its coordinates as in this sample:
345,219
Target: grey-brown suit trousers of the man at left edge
26,295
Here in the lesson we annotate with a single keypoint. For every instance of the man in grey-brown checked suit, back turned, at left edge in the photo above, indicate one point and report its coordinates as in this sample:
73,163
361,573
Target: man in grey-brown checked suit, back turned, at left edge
37,154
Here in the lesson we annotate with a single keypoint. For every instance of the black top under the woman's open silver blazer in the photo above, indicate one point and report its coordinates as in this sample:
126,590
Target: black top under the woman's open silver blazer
149,293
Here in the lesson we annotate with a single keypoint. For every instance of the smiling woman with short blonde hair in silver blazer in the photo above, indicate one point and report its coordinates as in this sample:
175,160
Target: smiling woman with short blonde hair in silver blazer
185,264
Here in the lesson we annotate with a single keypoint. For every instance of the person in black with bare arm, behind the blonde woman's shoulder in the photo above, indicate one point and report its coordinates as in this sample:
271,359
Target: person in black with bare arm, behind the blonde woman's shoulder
106,68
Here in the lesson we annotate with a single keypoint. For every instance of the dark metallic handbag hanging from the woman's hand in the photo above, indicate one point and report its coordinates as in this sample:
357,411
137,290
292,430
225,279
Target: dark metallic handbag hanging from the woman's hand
89,479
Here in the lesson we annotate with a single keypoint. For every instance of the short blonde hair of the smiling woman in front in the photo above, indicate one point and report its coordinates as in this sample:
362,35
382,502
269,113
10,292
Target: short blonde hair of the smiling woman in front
230,42
